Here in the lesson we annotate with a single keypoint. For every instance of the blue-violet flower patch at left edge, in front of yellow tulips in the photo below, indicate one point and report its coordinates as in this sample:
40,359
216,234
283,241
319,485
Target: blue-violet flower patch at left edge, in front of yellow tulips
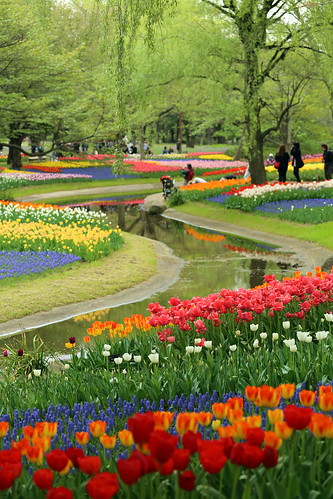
16,264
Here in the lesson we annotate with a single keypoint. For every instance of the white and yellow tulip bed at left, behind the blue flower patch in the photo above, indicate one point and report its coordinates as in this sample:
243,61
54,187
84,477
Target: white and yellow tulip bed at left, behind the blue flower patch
28,227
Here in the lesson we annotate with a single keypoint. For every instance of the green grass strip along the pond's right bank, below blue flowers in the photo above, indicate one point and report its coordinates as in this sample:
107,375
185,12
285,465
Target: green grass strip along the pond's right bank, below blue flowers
321,234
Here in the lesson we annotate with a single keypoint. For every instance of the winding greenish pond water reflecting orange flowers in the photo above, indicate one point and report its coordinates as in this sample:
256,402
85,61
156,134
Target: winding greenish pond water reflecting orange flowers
213,260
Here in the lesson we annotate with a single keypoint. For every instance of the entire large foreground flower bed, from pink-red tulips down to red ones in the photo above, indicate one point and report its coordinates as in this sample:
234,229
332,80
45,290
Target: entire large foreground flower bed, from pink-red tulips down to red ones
176,377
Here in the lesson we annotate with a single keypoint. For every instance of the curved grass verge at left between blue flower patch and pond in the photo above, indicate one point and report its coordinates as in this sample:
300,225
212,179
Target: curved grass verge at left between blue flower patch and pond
134,263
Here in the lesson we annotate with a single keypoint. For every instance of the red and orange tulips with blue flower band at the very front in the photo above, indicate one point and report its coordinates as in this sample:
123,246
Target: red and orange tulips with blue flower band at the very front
205,448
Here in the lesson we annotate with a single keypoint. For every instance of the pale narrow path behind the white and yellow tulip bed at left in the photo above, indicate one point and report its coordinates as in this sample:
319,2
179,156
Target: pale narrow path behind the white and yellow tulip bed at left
112,189
